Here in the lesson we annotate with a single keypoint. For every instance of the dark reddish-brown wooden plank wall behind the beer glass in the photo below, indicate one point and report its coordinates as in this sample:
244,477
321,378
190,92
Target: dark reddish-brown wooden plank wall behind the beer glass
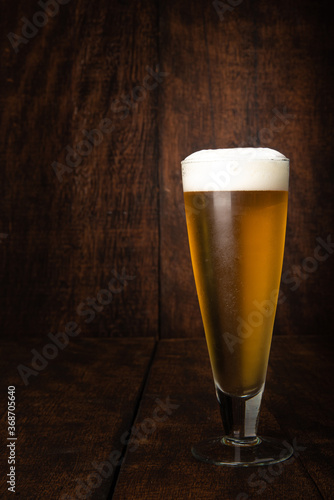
238,73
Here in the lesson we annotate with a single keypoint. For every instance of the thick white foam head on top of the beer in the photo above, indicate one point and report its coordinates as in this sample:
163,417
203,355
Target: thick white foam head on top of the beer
236,169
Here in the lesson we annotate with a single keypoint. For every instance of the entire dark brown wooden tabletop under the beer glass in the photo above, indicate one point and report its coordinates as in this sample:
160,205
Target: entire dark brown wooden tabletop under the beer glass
74,418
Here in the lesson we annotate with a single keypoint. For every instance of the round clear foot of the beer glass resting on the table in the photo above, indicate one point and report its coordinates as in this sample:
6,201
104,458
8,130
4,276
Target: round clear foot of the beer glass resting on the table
233,453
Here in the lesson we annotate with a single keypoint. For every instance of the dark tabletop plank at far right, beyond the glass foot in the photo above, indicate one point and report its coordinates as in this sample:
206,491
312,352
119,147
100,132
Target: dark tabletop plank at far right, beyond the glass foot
305,406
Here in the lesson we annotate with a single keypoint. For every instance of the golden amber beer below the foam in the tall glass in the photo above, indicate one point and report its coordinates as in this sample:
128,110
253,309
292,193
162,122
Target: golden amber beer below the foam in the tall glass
237,242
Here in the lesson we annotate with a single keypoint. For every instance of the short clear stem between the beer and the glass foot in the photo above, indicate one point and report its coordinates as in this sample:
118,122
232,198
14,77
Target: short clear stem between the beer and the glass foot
240,417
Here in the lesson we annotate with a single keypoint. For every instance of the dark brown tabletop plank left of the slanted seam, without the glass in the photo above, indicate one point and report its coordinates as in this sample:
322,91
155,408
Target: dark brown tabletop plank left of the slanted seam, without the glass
71,416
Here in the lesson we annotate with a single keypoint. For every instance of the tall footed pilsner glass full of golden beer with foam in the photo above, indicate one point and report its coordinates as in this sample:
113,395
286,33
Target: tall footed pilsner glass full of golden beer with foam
236,209
